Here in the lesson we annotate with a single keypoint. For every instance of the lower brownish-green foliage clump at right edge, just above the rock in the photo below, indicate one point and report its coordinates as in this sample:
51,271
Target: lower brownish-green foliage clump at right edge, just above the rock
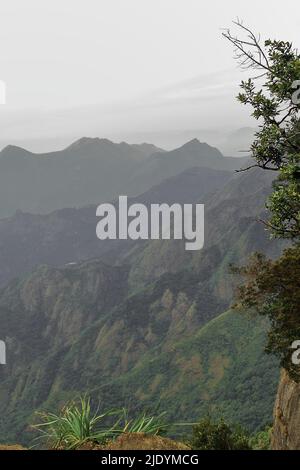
272,289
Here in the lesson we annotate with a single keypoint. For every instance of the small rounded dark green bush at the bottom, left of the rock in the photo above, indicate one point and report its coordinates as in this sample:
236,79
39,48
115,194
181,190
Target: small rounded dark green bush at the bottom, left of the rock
210,435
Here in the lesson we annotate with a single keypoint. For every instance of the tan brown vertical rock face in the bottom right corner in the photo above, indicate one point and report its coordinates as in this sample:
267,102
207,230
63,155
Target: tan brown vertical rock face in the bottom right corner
286,434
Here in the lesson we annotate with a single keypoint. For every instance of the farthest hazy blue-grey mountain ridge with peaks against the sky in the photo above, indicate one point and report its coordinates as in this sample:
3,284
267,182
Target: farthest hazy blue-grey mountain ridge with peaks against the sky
91,171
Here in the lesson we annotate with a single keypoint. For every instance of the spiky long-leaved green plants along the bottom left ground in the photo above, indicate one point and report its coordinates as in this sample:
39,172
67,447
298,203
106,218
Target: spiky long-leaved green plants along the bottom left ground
76,424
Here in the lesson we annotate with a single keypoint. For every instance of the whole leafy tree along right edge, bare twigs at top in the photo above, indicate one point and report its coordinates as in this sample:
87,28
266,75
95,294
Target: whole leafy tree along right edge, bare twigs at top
272,288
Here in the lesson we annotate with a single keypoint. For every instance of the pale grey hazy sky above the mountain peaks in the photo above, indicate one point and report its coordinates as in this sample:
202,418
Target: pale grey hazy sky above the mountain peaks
125,68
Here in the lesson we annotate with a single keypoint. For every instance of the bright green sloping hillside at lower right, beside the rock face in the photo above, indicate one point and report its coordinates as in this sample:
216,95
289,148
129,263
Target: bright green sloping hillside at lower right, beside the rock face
221,369
